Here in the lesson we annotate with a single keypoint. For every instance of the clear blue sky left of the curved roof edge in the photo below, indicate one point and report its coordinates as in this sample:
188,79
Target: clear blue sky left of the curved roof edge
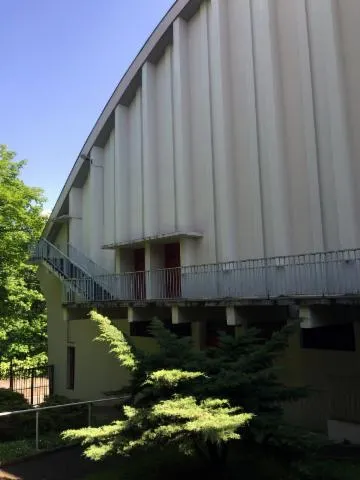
60,61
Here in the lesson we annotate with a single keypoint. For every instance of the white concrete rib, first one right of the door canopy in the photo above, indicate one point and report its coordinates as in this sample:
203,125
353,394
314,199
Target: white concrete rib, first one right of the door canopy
223,145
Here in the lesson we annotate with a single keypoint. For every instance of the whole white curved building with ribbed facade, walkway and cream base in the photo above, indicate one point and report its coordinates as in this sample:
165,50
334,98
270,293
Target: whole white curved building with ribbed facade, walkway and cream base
231,143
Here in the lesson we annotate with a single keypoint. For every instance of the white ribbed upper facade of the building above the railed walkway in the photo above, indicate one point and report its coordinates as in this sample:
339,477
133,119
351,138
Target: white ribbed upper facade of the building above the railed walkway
242,127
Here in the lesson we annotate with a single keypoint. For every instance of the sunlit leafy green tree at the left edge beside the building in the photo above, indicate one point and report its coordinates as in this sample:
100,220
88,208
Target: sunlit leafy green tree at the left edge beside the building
22,319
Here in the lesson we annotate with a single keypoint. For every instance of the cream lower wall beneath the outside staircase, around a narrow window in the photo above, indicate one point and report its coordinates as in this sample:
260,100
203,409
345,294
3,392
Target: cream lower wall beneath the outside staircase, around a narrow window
96,370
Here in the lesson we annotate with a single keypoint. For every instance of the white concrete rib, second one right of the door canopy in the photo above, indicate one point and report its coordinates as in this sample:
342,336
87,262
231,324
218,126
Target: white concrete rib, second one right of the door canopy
270,129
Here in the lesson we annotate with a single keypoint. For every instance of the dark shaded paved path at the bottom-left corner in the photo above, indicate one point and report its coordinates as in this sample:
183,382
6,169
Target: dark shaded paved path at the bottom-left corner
66,464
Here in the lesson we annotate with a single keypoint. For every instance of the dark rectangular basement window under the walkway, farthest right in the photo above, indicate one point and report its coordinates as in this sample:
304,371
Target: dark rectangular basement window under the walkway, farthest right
339,337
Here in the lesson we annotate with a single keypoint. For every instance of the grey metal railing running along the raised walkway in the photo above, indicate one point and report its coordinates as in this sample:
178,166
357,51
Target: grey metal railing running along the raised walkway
327,274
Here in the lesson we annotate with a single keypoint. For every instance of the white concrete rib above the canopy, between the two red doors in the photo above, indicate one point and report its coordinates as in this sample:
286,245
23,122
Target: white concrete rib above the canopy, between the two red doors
150,170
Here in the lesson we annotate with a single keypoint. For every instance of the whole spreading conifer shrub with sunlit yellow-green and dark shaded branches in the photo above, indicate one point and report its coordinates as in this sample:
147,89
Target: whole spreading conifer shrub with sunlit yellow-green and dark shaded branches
200,400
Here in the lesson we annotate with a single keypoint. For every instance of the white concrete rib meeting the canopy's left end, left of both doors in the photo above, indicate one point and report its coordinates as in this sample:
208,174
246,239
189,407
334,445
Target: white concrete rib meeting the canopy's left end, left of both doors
122,192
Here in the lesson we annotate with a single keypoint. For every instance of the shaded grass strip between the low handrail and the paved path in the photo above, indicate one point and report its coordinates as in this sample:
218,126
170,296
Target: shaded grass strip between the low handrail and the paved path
17,449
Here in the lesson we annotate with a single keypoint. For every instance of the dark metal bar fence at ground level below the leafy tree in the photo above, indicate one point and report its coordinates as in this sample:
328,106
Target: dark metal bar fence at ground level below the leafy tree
34,383
